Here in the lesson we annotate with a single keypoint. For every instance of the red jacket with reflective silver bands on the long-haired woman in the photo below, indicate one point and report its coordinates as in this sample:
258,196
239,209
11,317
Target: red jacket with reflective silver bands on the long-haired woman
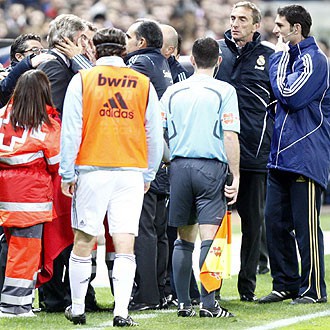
27,160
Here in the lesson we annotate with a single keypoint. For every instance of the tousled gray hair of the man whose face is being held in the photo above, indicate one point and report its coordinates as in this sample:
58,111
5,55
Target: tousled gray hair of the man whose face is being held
65,25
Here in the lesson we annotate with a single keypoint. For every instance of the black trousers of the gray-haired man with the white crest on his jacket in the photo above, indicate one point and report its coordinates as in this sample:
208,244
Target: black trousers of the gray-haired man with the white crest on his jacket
250,207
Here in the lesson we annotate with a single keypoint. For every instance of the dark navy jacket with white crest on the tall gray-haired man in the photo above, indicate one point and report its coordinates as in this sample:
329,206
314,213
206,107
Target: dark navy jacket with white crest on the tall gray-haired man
247,71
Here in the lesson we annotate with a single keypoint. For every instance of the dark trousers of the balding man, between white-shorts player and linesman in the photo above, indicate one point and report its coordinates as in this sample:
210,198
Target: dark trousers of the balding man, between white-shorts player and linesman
151,250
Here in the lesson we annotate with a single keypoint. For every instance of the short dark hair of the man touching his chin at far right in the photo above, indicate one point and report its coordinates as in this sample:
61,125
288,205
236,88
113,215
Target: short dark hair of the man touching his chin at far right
297,14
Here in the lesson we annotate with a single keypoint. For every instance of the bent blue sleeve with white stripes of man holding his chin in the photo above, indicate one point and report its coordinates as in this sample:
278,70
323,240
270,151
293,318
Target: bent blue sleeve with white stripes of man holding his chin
297,85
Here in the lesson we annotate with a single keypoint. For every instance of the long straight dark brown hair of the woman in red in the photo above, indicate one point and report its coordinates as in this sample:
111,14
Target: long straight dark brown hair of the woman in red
31,95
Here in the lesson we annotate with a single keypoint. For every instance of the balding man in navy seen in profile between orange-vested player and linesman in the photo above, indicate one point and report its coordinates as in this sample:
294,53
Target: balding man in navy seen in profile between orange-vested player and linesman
144,41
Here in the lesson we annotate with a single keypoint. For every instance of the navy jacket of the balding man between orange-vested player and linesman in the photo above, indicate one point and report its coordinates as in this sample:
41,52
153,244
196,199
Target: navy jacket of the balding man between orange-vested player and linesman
153,64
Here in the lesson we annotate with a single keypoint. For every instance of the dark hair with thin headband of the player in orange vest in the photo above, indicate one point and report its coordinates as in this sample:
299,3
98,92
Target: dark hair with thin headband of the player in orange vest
110,42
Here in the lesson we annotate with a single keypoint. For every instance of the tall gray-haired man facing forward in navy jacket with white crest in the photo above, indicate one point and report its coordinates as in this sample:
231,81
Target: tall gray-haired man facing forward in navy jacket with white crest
245,66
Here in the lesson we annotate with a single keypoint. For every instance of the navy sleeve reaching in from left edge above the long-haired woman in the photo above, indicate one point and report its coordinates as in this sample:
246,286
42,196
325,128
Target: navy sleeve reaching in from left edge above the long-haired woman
8,84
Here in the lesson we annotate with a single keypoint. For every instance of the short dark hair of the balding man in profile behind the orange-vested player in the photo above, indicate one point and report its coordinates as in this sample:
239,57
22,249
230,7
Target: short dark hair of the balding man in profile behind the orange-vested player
151,32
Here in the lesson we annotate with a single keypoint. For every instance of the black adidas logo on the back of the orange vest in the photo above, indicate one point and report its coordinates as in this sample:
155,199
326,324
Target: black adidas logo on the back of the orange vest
116,107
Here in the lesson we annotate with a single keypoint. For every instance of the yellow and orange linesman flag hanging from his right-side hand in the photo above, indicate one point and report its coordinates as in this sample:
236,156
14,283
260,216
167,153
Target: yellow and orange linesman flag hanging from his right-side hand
217,264
